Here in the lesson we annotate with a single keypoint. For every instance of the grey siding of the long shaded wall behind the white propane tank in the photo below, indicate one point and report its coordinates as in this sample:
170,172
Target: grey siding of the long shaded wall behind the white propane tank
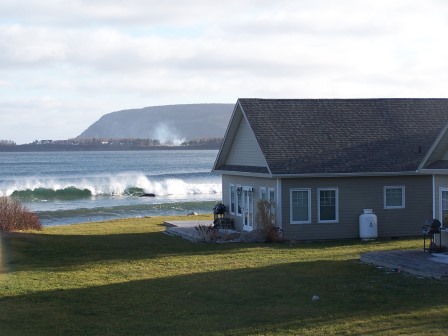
356,194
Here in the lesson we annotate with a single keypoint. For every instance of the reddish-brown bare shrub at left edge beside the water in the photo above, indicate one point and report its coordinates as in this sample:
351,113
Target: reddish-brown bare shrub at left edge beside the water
15,217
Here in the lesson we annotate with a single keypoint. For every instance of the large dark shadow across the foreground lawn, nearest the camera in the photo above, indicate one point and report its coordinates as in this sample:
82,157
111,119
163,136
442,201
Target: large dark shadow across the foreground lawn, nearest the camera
274,299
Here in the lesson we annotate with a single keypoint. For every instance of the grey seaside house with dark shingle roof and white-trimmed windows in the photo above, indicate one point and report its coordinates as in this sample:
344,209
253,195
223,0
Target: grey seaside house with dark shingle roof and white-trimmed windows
322,161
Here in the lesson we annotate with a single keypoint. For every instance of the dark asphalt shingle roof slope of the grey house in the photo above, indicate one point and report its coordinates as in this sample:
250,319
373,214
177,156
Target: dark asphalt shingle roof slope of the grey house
320,136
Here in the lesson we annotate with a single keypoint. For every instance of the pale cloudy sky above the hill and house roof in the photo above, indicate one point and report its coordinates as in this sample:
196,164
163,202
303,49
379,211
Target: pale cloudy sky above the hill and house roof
66,63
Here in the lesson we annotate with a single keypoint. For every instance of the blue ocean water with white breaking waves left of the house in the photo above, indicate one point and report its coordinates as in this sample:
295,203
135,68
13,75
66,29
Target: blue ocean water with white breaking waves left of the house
75,187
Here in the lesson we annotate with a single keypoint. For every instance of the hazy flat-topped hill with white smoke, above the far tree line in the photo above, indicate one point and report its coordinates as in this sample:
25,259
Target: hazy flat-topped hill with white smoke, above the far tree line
170,123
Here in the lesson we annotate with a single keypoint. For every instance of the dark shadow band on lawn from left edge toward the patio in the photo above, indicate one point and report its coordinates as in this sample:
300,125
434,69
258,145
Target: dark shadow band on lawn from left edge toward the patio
25,251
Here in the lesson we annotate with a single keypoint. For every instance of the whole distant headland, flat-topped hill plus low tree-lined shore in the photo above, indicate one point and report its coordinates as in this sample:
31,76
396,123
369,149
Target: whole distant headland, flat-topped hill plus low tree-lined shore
185,126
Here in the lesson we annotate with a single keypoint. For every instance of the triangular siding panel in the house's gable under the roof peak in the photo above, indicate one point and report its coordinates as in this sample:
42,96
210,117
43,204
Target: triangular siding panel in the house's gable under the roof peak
245,150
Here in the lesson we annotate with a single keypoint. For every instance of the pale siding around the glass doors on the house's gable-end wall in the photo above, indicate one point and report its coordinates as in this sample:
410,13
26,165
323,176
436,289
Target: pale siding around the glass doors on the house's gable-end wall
254,182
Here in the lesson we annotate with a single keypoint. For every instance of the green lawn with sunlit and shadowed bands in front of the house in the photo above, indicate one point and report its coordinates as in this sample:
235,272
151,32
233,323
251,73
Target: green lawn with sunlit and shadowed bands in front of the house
128,278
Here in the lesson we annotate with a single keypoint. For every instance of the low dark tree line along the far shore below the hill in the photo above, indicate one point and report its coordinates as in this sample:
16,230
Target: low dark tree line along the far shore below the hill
77,144
